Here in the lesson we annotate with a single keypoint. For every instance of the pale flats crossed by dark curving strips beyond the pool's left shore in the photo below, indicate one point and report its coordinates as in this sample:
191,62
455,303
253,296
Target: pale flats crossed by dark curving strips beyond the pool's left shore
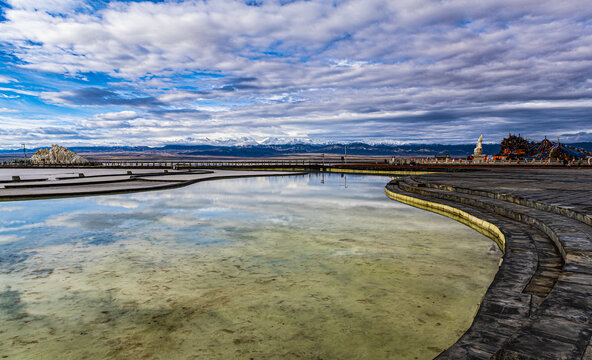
47,183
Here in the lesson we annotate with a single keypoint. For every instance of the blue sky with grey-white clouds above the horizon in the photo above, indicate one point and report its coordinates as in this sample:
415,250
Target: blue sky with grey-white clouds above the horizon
105,72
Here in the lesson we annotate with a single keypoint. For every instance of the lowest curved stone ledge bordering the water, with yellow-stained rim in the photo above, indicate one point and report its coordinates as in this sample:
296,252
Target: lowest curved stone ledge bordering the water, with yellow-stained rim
504,307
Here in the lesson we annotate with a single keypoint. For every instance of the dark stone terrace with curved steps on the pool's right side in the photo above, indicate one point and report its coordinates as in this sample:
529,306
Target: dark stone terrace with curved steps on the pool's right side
539,305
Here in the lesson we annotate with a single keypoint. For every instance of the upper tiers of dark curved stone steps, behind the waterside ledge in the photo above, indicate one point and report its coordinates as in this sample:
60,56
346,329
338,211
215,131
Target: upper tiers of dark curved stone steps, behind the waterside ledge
561,328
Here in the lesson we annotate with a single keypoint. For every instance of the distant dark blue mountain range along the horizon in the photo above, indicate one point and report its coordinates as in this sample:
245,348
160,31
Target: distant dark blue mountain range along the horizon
290,149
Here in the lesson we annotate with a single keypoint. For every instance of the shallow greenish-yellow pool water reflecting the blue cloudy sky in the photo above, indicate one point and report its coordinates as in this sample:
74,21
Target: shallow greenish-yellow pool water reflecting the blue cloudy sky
298,267
